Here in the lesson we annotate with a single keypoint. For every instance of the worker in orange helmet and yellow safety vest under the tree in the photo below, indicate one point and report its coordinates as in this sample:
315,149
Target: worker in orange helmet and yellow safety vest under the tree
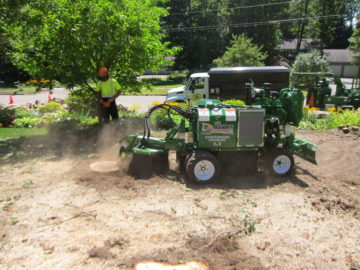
107,90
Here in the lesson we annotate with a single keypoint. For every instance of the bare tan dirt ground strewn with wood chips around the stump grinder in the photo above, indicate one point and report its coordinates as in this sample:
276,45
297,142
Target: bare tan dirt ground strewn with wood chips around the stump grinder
57,214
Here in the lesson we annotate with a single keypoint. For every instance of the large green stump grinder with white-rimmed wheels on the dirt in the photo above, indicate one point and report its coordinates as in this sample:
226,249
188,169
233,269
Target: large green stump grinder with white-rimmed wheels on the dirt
213,138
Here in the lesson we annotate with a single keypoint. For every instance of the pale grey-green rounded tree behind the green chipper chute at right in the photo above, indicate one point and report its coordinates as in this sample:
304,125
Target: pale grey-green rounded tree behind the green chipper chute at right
311,61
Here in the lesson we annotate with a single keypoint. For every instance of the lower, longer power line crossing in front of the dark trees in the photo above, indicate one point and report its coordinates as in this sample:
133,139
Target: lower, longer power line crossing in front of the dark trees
210,27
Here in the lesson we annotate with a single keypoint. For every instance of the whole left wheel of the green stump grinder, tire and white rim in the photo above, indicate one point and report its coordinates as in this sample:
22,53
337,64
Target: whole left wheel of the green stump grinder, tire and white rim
202,167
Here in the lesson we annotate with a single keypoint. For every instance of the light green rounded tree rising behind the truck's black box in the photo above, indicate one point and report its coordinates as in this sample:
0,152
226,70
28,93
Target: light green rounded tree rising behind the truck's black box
241,52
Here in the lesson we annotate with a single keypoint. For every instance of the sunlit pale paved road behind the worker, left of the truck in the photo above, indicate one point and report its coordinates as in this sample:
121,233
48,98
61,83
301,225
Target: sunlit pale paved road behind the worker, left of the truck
128,101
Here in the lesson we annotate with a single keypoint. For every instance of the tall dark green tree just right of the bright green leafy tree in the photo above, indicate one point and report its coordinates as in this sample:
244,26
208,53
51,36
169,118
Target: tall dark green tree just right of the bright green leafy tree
188,22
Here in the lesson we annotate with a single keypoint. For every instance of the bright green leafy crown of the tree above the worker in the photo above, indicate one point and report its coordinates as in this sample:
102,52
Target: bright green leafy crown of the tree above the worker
68,40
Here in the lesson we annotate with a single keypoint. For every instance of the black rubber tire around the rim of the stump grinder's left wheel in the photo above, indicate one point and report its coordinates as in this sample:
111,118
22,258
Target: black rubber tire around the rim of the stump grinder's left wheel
196,157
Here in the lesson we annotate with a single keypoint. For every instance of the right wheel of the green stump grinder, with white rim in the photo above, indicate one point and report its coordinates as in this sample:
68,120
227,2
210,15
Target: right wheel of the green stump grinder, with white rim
278,162
